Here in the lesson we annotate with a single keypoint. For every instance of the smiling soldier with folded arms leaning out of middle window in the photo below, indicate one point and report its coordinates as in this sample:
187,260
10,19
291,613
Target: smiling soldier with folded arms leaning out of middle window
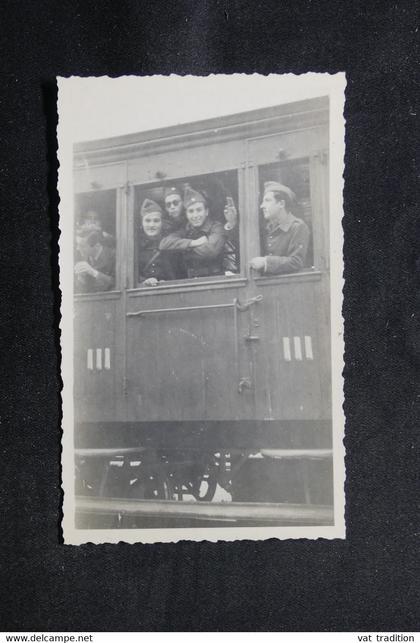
202,240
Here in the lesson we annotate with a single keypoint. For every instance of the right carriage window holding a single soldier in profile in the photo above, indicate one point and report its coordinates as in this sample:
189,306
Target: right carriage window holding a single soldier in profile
285,218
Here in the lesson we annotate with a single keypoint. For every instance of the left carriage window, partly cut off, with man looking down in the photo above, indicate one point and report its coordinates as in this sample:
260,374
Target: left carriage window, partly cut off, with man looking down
95,241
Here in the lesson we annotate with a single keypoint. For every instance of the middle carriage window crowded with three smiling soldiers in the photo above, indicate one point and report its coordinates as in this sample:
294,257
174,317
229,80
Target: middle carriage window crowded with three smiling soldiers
187,229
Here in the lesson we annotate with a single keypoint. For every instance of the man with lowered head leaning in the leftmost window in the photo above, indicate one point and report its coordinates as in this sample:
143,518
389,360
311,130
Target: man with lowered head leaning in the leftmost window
94,269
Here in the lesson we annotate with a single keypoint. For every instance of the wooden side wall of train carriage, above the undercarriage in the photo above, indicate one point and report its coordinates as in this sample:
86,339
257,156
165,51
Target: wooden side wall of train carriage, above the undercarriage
212,365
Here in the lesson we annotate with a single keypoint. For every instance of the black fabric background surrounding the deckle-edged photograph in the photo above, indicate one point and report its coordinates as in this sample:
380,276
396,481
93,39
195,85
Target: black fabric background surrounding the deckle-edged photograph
368,581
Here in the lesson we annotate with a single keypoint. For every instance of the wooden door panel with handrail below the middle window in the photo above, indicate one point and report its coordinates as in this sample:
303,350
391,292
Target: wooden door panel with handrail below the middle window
185,364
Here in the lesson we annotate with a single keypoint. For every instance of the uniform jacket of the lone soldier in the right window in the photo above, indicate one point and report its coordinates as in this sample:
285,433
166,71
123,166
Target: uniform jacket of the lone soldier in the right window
286,246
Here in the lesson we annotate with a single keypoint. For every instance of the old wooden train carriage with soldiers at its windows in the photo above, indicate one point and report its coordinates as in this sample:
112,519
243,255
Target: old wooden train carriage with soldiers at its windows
210,383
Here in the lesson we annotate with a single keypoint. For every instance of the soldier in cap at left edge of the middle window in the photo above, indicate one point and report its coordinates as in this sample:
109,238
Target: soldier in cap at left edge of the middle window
154,264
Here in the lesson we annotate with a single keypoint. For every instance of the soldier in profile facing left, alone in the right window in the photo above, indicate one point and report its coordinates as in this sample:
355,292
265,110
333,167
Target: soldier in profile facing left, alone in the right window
286,238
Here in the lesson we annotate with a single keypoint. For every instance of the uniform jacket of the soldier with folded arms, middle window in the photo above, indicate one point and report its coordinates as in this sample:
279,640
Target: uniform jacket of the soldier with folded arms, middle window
206,260
